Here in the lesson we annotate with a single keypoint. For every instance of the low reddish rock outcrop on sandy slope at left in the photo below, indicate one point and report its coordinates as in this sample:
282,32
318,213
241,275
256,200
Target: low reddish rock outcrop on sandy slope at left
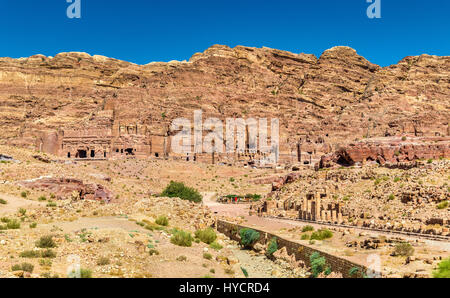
67,188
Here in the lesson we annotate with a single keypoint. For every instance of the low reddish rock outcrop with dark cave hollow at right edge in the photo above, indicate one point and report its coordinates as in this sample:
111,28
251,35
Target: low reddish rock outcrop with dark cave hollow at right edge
389,151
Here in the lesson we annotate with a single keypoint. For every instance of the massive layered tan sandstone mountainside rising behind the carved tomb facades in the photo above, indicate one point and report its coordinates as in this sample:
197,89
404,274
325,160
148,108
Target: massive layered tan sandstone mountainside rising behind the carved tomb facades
339,97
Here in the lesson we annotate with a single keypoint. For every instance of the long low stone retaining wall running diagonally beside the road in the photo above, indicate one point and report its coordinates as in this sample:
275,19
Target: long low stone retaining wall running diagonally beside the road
301,252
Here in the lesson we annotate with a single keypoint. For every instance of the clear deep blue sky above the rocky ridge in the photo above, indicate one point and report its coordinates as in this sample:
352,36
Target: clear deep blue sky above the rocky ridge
142,31
